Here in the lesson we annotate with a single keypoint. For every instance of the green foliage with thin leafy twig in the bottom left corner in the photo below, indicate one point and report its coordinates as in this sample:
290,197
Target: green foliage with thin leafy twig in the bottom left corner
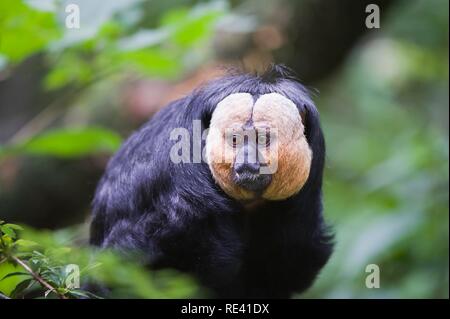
42,266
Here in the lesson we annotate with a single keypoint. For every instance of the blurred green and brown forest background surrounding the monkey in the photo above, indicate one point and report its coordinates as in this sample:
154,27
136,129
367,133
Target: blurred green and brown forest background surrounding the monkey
68,97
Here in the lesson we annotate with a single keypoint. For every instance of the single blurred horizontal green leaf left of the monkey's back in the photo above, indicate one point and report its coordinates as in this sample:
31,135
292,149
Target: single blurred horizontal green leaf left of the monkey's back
68,143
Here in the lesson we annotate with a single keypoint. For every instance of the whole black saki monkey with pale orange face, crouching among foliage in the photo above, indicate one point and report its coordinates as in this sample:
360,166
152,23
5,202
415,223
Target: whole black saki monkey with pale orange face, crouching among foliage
238,204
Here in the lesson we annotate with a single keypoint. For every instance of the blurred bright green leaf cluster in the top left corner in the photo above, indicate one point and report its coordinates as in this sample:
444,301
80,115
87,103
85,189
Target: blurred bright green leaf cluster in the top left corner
108,42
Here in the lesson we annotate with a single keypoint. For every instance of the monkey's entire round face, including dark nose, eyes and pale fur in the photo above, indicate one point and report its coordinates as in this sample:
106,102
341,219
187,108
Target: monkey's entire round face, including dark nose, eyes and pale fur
257,149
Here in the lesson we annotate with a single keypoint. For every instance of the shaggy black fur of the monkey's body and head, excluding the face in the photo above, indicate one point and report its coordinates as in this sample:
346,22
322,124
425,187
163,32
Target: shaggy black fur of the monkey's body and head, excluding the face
179,218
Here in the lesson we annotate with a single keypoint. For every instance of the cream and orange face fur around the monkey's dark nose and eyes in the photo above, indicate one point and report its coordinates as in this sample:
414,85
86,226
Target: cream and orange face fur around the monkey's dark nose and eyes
288,155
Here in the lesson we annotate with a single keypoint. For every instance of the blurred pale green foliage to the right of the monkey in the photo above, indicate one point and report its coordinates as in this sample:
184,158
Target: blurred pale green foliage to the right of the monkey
386,182
